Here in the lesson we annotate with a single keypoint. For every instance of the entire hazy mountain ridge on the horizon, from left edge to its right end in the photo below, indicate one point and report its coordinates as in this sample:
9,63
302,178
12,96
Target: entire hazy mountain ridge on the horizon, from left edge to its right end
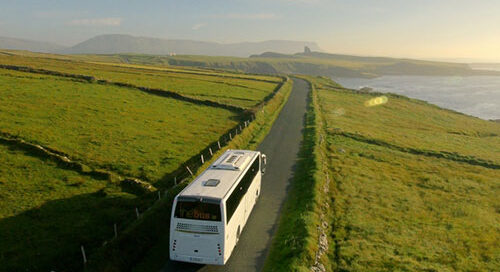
123,43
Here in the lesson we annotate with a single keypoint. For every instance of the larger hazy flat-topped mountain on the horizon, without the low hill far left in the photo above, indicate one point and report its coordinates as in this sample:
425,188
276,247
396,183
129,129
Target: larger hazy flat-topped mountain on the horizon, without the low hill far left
115,43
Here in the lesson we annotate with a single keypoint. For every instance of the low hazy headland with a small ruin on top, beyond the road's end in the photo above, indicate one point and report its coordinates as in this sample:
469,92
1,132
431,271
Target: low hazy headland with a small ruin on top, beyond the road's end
322,64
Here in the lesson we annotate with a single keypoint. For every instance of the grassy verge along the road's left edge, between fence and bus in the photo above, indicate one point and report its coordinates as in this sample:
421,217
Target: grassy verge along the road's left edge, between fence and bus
144,246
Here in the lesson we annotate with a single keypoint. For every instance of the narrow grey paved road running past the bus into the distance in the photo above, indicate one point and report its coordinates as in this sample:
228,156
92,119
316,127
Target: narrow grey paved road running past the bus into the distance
281,147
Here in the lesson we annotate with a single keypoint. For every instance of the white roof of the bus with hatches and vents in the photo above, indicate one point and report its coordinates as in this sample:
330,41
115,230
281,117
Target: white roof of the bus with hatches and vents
223,173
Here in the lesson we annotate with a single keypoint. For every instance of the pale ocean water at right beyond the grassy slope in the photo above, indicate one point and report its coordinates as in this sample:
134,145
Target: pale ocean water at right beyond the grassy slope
475,95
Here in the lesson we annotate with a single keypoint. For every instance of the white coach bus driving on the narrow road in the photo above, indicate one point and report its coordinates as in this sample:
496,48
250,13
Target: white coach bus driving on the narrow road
210,213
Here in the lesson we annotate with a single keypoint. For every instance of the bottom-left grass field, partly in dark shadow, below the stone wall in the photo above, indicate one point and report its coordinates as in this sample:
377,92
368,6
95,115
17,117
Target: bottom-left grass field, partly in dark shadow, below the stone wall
46,213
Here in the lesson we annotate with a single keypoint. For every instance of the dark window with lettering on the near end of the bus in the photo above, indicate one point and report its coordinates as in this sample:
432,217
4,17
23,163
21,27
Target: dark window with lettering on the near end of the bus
192,208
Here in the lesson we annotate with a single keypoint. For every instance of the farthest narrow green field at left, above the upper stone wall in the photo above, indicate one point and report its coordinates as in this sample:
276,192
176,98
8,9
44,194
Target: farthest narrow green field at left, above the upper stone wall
225,88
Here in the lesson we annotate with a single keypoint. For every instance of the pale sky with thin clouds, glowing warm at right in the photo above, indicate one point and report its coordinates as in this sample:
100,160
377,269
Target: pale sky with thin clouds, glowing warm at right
430,29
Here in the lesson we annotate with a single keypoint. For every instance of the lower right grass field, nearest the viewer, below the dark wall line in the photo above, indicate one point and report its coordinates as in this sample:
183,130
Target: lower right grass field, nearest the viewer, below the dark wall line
408,212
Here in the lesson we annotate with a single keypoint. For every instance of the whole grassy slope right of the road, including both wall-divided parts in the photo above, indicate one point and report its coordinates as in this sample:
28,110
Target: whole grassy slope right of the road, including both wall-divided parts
415,186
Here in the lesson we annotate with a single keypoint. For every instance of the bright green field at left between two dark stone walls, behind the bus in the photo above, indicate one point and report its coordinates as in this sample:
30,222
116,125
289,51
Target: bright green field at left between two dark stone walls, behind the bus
120,129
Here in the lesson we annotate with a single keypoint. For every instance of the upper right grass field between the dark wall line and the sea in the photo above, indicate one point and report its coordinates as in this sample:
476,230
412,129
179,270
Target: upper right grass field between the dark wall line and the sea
410,123
